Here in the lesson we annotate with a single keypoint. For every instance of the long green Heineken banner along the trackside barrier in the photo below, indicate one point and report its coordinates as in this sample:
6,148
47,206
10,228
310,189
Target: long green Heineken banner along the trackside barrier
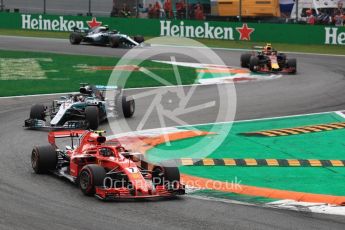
262,32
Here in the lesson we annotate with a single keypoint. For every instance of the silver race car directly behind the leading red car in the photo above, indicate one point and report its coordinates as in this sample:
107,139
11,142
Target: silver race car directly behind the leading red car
85,109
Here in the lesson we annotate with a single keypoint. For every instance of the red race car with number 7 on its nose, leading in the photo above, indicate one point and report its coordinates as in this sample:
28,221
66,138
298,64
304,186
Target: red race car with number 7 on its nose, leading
106,170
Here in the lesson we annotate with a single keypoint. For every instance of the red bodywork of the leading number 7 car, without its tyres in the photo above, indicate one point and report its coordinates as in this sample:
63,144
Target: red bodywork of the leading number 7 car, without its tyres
88,152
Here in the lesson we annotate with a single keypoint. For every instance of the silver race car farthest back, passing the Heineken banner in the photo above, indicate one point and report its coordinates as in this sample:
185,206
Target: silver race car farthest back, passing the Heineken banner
101,35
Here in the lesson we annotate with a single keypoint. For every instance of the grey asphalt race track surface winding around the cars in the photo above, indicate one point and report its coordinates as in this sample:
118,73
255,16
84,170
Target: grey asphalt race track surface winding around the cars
30,201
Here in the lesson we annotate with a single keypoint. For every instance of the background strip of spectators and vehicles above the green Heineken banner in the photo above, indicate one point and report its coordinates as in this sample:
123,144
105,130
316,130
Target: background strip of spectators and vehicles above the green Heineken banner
306,11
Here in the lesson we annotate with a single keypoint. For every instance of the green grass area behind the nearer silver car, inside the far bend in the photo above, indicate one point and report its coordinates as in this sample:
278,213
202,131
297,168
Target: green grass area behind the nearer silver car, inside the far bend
24,73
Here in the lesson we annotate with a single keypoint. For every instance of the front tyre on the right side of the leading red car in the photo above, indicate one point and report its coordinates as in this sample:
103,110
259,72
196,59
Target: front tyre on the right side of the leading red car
168,176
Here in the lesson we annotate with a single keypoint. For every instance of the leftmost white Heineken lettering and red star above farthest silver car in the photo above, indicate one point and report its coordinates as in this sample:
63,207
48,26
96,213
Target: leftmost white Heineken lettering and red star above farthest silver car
31,22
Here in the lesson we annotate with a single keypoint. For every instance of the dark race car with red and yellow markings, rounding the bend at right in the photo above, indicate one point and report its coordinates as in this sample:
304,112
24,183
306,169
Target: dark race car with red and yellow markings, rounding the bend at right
268,60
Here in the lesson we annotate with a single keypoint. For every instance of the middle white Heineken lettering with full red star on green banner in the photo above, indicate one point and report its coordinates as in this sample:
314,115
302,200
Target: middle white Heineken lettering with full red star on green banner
204,31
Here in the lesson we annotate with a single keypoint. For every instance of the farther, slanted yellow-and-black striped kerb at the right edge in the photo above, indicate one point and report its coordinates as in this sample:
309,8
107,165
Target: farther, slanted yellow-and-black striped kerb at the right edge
297,130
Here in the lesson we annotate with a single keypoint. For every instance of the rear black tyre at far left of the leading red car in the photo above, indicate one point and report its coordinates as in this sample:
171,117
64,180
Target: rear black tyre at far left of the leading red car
43,159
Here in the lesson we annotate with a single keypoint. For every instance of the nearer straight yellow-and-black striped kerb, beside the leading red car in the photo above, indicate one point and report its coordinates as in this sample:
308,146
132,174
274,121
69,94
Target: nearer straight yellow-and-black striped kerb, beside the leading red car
259,162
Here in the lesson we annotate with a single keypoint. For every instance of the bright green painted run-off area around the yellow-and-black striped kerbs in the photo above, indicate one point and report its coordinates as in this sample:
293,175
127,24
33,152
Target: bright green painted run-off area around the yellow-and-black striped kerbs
319,145
